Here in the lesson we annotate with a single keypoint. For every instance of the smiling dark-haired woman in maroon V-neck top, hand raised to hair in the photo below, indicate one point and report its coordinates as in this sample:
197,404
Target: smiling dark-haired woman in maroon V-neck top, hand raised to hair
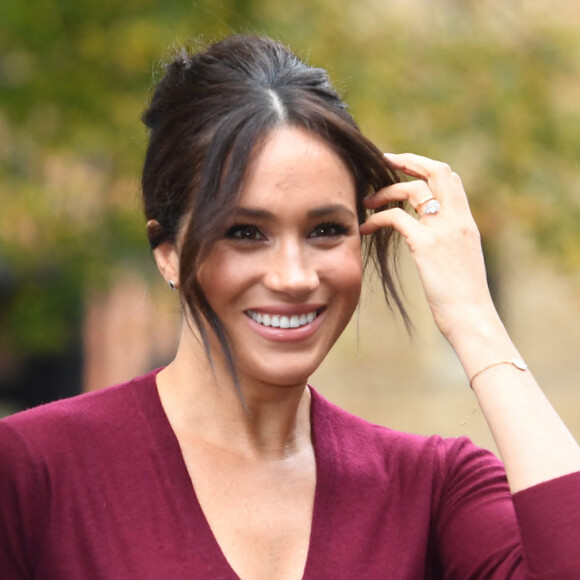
259,191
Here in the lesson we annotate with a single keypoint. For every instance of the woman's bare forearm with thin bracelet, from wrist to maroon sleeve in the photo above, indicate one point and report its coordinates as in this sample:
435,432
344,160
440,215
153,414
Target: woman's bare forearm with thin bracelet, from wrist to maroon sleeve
534,443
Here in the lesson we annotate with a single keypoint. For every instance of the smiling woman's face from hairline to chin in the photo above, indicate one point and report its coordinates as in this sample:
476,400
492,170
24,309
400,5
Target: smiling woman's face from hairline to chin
286,276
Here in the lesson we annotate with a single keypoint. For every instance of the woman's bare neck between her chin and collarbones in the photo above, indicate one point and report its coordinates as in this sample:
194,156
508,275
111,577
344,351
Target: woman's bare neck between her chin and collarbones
273,421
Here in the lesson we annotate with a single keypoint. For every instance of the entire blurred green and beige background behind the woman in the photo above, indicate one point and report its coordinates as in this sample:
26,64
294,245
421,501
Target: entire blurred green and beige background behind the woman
493,88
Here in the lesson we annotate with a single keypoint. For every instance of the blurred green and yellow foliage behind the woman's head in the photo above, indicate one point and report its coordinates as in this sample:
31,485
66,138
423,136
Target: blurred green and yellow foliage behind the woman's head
490,87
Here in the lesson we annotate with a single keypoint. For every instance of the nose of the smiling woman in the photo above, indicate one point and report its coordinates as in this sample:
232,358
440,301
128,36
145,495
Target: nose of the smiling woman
291,270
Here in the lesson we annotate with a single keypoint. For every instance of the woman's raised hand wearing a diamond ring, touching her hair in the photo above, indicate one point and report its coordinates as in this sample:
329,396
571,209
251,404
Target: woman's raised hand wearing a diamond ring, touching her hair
445,245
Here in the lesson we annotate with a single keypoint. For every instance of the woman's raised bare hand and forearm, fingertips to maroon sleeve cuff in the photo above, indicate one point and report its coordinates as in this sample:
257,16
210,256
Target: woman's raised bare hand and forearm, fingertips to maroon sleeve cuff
533,441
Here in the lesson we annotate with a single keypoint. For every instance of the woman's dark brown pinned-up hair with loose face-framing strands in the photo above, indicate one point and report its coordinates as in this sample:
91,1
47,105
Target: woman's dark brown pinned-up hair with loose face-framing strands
207,120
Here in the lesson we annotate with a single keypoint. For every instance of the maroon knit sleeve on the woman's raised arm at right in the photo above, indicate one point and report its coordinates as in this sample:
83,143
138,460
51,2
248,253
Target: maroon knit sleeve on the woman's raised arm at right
482,531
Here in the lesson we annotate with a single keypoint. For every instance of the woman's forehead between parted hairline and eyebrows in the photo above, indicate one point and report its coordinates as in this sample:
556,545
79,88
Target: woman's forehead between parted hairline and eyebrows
295,166
